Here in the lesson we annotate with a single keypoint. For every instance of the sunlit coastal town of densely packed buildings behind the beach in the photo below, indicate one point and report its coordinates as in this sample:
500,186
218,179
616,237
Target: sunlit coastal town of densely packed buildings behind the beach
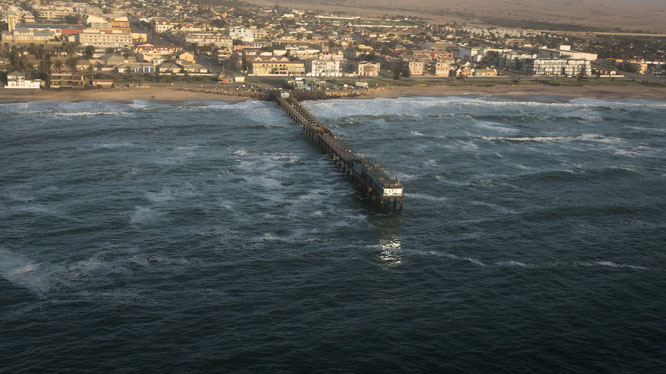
240,48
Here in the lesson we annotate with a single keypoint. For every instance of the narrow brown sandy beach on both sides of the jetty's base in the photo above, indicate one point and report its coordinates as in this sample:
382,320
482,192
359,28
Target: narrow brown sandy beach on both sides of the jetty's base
169,95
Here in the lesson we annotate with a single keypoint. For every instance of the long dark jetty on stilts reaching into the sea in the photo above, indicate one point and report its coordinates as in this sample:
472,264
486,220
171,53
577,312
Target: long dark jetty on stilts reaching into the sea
371,178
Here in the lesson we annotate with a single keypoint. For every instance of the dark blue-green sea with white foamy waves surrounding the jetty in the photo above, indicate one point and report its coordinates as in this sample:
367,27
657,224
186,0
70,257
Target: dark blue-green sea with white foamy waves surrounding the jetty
212,236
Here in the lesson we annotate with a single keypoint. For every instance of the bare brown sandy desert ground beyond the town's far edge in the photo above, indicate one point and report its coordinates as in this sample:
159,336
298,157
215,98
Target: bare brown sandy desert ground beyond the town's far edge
645,15
